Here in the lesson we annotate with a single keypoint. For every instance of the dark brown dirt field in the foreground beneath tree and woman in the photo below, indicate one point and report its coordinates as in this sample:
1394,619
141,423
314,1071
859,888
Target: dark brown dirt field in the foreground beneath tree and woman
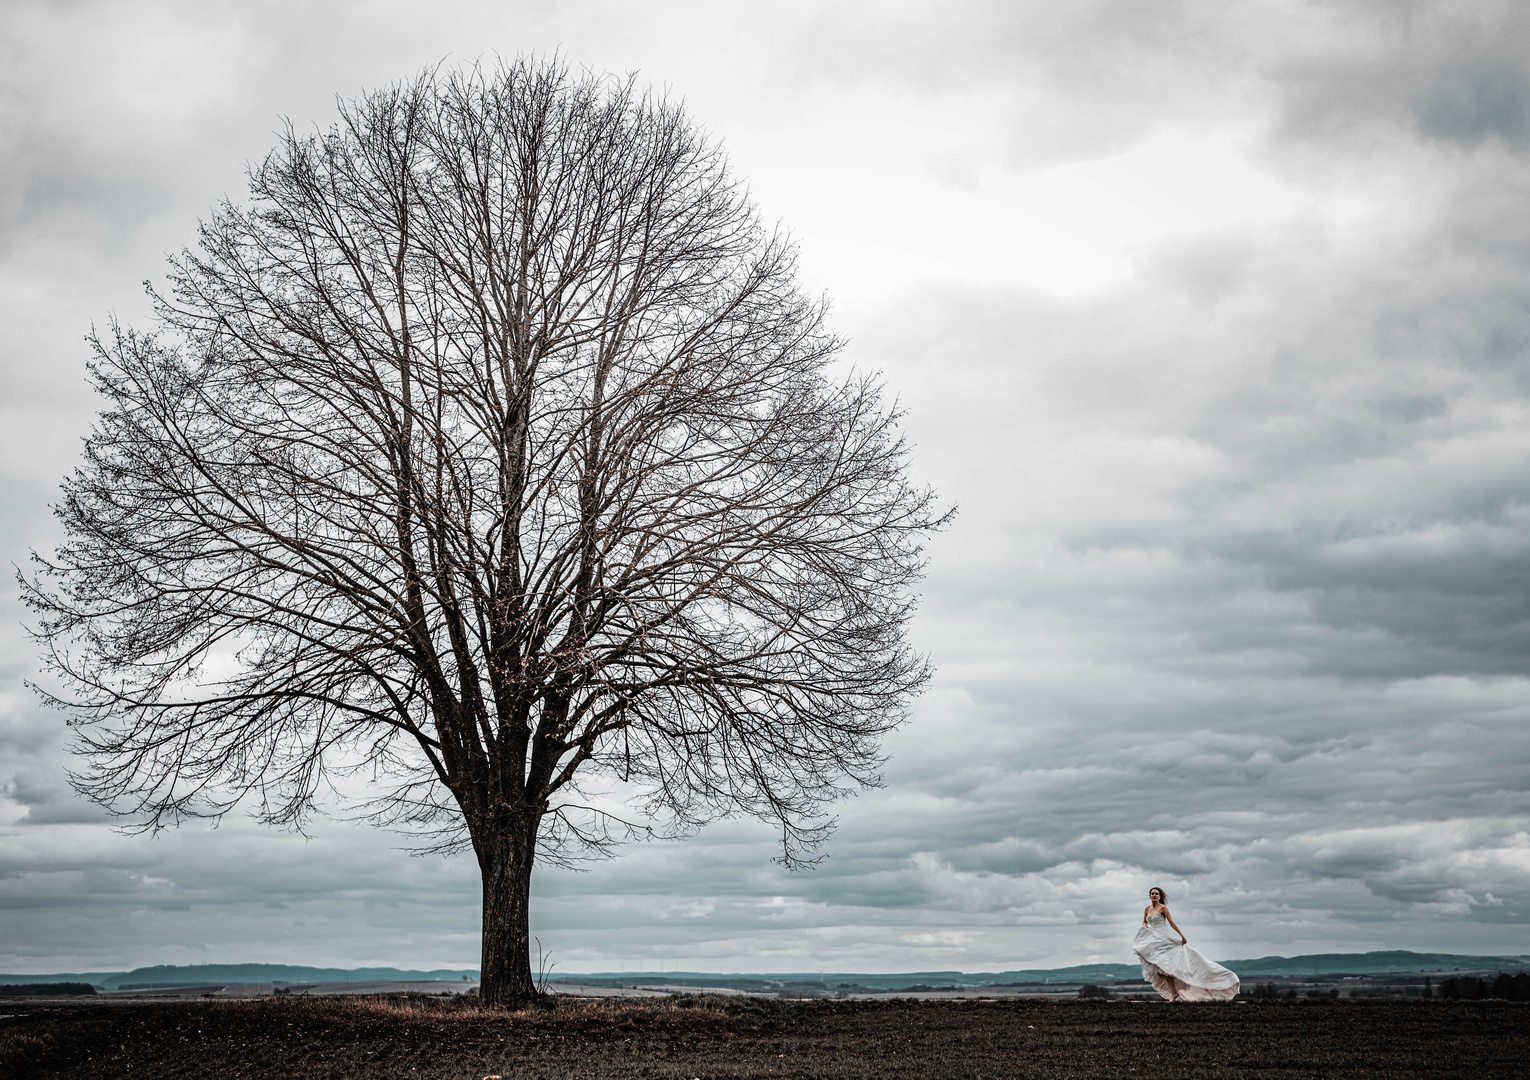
697,1038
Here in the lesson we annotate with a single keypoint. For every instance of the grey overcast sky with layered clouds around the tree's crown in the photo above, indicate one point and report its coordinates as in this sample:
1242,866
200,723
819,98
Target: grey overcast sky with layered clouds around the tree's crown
1213,319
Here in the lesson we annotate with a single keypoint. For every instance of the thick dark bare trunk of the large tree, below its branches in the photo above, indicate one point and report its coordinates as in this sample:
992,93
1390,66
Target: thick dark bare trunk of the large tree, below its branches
506,969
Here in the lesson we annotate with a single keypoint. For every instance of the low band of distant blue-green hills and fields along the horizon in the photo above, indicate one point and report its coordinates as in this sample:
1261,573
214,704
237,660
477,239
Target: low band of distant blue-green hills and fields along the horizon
1326,965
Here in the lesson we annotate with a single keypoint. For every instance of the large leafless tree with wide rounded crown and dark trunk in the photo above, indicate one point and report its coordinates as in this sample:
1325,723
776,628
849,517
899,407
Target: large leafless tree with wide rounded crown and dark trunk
490,449
